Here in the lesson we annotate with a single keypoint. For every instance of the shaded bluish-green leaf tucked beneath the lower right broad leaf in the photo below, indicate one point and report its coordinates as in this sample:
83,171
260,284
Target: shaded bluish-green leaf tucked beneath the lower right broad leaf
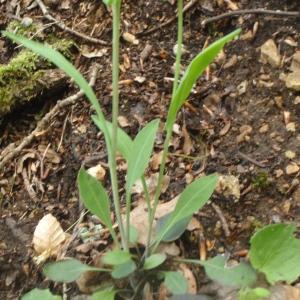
176,231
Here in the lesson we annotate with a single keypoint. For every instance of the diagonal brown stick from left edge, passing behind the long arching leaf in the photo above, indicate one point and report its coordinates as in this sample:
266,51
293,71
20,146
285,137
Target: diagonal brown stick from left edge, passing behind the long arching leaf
11,154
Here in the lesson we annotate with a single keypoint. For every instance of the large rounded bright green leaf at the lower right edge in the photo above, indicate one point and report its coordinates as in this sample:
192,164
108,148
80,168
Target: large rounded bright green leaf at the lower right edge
275,252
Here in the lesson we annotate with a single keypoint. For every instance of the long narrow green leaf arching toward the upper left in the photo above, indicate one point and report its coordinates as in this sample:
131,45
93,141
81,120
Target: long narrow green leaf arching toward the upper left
60,61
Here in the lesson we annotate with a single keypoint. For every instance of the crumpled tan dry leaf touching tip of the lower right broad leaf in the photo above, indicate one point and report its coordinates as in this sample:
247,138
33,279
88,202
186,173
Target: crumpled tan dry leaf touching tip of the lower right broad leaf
228,185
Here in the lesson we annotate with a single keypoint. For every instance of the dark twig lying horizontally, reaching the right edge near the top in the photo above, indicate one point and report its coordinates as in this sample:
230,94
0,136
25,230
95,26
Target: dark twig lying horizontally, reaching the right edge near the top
251,11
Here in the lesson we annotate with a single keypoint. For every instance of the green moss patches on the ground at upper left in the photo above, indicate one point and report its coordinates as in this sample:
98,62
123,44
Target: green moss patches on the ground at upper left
20,79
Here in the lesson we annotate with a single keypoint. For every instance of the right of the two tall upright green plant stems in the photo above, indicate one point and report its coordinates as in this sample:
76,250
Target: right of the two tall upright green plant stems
169,129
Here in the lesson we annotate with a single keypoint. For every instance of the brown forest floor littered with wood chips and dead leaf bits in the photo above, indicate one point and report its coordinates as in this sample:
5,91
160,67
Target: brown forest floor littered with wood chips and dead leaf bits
241,120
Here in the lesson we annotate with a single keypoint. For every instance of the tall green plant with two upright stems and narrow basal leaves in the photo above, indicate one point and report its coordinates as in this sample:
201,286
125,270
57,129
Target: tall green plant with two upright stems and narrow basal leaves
121,262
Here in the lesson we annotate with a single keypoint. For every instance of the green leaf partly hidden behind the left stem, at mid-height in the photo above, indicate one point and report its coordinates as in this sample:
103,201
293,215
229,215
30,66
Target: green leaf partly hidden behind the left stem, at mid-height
124,141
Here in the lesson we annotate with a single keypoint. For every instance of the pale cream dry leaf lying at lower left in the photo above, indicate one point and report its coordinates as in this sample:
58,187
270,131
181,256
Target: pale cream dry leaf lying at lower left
48,238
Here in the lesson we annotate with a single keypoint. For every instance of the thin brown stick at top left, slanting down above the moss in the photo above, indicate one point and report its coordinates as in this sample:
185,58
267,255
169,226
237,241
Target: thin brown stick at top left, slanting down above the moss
62,26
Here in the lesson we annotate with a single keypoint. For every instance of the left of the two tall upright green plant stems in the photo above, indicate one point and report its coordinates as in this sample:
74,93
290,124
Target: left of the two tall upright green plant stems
116,9
